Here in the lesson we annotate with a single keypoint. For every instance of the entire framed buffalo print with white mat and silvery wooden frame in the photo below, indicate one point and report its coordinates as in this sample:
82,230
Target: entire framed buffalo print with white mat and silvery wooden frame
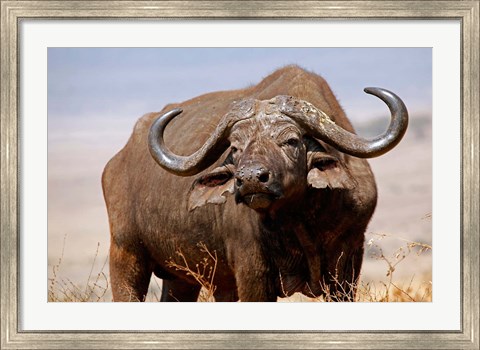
78,76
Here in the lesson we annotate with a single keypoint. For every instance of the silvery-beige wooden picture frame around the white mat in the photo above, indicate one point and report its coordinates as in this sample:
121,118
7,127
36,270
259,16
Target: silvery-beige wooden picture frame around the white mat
12,13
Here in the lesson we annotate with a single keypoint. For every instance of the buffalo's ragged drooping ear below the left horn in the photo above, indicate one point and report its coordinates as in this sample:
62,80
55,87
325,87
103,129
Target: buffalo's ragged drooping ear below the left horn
211,187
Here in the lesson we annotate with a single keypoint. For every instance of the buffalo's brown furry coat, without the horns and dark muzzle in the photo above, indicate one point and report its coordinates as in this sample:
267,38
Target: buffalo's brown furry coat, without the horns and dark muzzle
313,234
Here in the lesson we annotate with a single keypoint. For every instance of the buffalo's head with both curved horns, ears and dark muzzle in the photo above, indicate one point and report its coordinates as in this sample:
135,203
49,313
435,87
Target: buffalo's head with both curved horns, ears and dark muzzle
275,151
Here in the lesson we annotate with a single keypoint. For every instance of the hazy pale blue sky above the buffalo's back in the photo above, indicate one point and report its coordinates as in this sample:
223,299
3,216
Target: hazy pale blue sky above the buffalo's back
86,85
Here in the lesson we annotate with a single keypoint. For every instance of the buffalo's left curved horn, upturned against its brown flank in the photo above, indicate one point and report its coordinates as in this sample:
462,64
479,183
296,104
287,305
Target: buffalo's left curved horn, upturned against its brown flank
211,150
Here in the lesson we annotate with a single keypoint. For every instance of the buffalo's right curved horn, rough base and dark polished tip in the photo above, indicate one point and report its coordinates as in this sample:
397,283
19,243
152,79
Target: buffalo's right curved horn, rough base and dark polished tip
323,128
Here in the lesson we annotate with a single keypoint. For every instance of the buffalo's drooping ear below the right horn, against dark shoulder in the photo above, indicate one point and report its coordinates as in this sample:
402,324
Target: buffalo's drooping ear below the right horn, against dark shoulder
327,171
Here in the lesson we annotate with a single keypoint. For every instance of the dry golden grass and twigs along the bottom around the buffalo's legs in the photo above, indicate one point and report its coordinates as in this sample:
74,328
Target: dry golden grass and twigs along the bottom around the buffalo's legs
388,289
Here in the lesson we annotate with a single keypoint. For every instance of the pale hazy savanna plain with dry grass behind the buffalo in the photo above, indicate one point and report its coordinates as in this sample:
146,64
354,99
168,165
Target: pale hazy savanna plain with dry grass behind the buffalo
397,263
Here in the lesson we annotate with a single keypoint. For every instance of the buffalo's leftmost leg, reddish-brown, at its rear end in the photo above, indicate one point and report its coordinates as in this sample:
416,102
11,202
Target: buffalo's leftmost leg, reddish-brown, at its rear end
130,273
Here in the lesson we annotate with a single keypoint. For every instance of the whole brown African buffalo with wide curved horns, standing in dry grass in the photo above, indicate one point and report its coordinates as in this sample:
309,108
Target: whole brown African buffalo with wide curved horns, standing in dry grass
271,178
